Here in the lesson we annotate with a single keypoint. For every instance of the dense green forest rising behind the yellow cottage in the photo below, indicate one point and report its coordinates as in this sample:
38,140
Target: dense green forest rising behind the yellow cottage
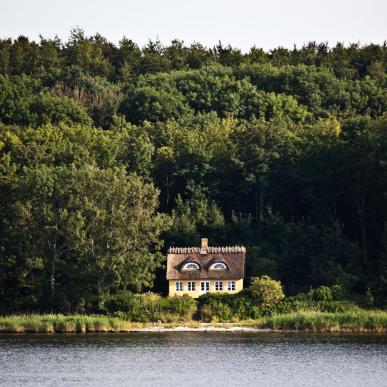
111,153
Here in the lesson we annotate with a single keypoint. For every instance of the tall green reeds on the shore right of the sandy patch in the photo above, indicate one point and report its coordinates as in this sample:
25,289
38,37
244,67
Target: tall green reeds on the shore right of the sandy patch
355,321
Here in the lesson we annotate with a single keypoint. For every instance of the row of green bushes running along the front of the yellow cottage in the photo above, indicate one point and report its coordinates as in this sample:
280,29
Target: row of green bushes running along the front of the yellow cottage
263,298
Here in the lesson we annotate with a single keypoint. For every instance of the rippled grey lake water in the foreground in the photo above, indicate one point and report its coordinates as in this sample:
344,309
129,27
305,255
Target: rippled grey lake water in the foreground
193,359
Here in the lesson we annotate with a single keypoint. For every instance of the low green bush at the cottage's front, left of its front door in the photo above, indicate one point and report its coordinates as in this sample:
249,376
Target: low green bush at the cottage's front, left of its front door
150,307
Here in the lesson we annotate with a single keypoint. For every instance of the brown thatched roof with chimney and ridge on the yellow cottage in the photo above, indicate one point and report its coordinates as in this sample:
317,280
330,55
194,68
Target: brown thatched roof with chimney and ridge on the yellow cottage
232,256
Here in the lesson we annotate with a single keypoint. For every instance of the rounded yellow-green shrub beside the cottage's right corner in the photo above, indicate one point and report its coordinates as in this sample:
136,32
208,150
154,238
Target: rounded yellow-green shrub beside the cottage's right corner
266,291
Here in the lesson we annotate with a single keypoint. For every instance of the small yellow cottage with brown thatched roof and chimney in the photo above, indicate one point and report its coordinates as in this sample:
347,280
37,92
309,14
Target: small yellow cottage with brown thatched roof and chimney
198,270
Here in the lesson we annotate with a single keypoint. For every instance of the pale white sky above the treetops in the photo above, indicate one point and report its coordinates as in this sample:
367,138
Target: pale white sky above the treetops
242,23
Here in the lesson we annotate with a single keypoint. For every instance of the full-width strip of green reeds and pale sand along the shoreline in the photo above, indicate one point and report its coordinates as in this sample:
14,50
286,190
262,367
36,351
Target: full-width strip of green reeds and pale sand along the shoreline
359,321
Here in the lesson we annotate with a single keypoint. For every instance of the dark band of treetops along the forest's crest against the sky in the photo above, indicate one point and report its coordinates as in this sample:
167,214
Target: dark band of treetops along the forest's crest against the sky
99,57
